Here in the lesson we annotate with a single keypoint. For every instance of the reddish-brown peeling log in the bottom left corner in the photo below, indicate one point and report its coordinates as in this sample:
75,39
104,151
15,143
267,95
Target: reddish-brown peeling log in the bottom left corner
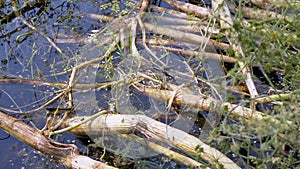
65,153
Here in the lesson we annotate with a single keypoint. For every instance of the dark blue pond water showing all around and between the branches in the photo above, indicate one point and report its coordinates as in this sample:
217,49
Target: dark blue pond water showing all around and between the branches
29,55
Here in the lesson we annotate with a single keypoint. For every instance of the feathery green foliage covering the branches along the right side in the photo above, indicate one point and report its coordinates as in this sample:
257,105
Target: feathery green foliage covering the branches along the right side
274,45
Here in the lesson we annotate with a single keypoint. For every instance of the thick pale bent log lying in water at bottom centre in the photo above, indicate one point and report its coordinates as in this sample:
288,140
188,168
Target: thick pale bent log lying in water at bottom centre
126,124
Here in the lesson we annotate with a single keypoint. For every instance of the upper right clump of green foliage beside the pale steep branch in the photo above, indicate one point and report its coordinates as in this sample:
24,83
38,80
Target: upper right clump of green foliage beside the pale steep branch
273,44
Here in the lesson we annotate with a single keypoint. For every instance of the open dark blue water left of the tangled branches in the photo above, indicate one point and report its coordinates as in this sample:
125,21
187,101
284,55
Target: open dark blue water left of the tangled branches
30,56
